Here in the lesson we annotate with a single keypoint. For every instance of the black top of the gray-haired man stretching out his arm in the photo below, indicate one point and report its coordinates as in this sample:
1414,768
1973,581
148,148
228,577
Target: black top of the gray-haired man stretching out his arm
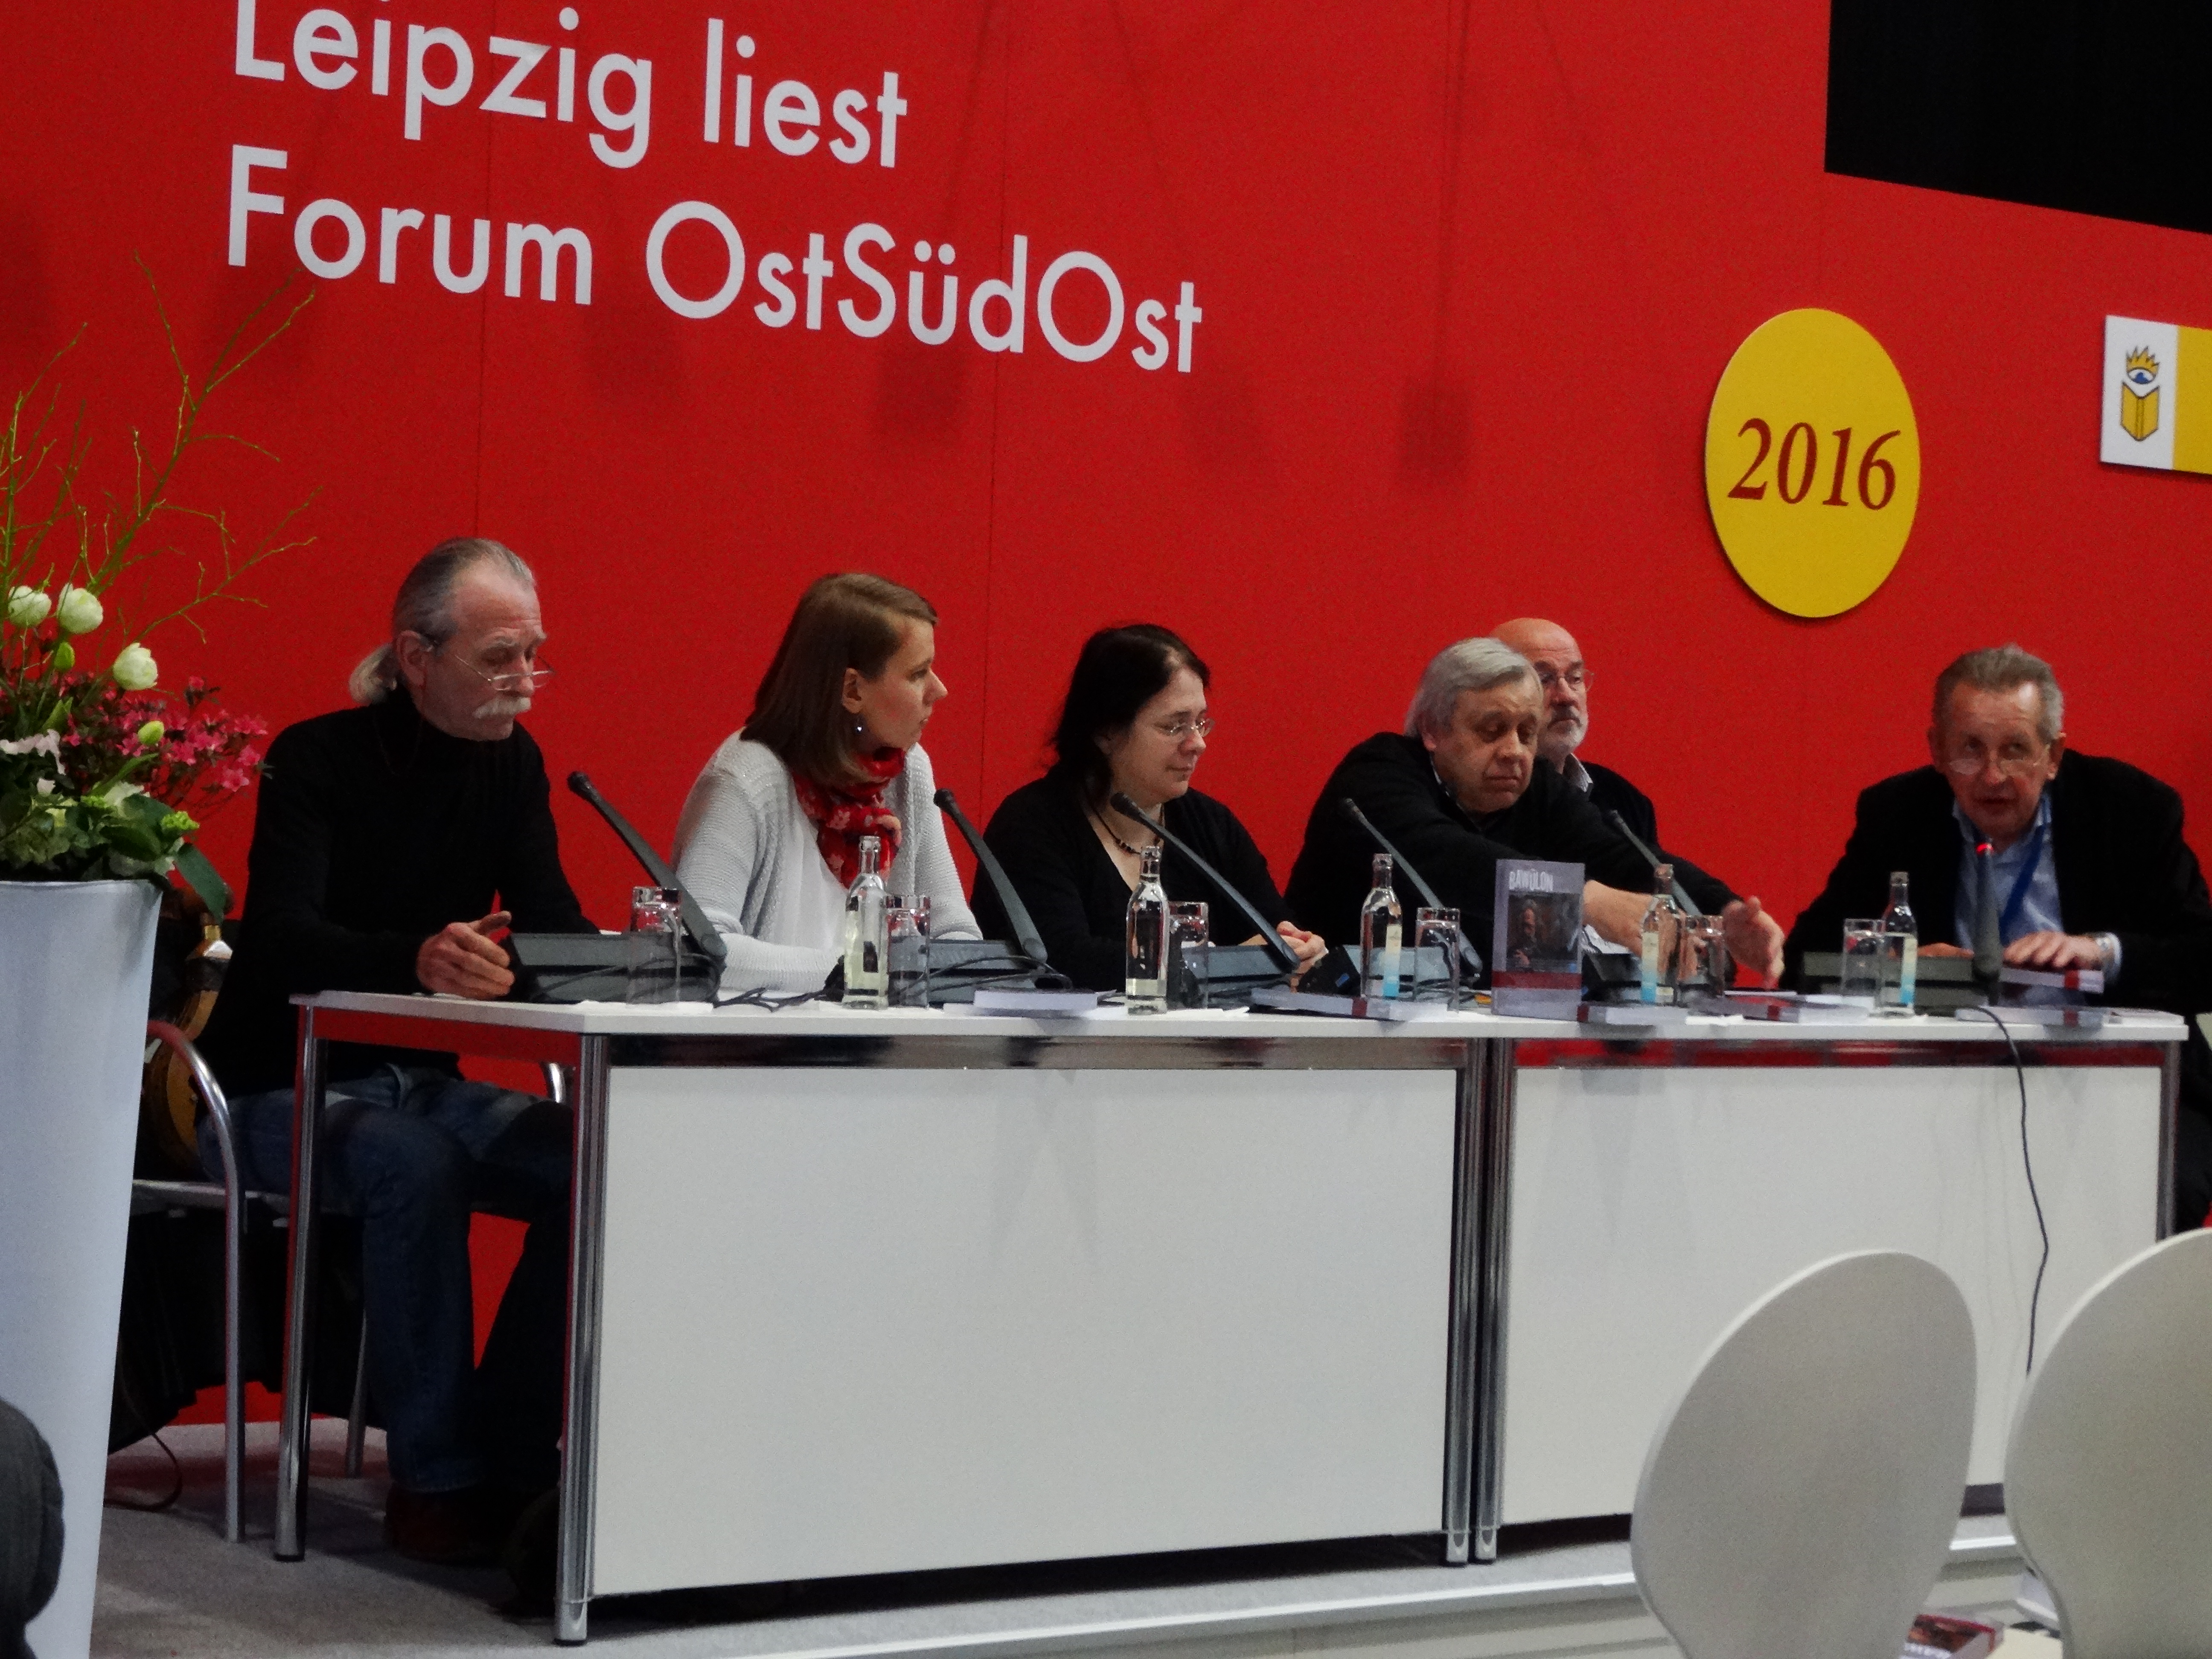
1395,782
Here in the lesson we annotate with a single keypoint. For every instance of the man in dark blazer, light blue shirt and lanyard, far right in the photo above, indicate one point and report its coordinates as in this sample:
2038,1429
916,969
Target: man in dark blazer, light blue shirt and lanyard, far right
2052,857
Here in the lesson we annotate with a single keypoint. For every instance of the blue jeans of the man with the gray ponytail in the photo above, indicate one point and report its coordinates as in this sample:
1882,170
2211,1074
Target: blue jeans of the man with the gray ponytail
410,1154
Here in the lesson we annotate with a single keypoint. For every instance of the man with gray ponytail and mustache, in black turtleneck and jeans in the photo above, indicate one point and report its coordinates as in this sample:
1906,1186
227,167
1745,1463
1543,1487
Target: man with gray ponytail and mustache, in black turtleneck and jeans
393,846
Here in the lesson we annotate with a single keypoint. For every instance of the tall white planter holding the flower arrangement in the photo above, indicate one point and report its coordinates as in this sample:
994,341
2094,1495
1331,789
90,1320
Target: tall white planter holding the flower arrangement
76,961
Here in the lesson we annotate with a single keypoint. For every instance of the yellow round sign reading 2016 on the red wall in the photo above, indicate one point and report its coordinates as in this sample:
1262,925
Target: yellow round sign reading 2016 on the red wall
1813,463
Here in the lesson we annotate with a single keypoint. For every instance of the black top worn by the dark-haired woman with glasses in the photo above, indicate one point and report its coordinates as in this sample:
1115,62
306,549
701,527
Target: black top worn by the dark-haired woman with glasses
1078,897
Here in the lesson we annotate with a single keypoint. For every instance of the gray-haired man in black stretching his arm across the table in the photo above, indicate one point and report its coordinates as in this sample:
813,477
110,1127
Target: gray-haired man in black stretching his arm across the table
1461,789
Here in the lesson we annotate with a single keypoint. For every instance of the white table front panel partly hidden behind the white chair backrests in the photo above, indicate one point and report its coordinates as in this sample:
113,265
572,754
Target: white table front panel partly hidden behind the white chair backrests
1653,1204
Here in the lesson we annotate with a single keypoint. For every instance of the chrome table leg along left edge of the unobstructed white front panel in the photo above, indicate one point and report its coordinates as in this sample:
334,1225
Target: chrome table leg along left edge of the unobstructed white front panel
587,1209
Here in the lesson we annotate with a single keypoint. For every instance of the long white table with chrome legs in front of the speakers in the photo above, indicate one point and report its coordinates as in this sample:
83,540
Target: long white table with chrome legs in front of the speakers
870,1293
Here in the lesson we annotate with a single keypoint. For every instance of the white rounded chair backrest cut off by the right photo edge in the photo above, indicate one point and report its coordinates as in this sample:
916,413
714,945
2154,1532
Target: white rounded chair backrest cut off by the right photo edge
2109,1472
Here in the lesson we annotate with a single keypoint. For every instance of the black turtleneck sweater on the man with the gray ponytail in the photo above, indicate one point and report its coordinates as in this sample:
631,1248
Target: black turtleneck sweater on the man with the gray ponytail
373,833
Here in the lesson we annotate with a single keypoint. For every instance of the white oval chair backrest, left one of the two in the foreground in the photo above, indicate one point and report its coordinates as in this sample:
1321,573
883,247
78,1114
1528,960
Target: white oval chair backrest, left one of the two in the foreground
1806,1488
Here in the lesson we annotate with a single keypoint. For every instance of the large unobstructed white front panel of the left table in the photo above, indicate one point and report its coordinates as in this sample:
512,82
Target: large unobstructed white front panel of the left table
864,1322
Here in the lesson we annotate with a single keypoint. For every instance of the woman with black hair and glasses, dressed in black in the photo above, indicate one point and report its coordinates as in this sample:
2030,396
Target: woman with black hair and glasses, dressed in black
1136,724
